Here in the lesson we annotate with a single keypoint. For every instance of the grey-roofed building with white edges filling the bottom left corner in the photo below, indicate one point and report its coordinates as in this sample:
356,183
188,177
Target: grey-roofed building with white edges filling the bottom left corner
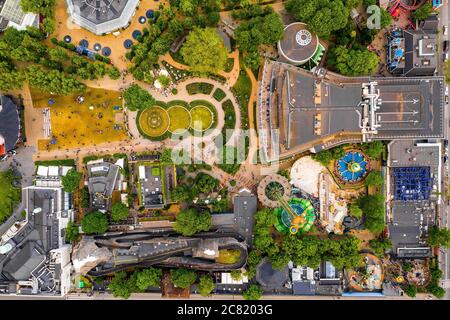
37,251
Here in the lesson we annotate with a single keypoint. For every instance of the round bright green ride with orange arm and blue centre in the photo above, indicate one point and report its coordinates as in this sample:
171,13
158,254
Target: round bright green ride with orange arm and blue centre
294,216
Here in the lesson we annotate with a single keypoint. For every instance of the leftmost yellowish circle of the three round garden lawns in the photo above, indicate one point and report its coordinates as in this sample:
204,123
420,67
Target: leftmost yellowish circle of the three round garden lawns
154,121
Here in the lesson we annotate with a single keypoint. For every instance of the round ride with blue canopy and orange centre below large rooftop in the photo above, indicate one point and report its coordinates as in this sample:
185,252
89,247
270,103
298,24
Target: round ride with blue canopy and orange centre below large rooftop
352,167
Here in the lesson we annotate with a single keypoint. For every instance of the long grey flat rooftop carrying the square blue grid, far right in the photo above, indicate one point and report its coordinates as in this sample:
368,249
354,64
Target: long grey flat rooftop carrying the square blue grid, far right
414,173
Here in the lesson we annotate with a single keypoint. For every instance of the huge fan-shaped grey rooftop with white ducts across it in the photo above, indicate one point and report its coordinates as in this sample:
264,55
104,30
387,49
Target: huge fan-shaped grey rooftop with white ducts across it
303,109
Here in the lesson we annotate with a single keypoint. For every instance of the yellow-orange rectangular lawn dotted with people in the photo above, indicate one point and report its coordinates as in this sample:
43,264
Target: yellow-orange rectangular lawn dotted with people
69,118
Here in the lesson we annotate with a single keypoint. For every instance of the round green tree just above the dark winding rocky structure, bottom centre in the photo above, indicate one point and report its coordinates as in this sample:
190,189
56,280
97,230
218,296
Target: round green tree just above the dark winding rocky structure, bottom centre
190,221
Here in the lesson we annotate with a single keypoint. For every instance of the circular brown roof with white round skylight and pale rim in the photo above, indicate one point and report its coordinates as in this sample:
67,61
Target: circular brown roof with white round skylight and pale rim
298,44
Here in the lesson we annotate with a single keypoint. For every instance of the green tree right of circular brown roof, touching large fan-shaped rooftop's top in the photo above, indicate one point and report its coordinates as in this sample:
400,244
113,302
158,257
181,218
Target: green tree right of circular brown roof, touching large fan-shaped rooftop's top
355,62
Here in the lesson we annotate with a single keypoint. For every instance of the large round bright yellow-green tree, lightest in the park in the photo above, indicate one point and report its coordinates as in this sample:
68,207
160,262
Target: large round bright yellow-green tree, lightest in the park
204,51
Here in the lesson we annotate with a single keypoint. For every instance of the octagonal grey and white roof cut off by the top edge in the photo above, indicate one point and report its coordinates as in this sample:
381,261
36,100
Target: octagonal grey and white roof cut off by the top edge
102,16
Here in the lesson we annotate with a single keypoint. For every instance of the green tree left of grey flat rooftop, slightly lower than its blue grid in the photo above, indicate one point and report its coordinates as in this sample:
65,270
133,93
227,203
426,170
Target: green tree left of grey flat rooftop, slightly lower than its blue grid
373,208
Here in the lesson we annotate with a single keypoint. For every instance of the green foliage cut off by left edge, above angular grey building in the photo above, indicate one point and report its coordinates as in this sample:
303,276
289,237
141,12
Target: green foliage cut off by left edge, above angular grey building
9,196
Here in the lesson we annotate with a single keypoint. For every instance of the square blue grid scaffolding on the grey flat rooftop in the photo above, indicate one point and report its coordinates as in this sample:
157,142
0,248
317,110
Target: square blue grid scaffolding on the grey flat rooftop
412,183
